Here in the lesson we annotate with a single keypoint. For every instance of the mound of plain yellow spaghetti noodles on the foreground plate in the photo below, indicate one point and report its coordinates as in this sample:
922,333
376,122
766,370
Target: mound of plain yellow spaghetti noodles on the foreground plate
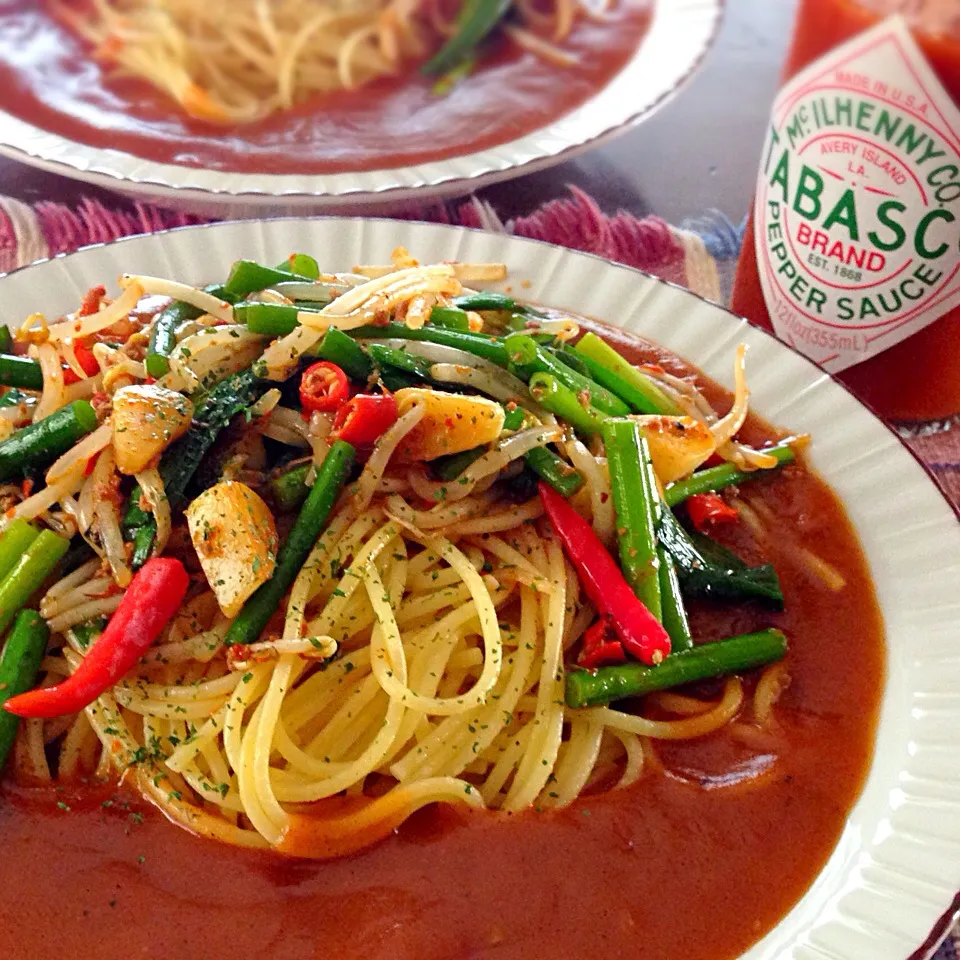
452,624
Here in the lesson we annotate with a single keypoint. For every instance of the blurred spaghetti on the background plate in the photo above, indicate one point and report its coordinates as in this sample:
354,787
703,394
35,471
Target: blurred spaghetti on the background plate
239,61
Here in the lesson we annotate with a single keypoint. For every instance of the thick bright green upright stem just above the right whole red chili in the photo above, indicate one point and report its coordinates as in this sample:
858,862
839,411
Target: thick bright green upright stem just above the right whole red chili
637,505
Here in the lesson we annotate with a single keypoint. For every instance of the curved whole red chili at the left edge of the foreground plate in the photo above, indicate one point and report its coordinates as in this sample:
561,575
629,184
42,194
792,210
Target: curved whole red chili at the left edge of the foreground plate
152,599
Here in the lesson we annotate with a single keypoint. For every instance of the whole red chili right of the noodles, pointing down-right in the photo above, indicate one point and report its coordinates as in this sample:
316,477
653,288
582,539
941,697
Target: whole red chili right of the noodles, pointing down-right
639,630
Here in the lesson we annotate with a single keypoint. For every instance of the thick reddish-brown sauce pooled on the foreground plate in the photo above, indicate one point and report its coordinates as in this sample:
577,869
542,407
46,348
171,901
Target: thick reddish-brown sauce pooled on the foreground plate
678,865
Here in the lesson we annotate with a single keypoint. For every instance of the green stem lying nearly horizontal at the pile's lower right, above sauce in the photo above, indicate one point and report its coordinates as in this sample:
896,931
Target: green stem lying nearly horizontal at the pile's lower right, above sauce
703,662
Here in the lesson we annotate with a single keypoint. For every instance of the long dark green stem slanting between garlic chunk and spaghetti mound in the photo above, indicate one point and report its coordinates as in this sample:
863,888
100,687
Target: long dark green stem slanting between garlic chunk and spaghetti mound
309,525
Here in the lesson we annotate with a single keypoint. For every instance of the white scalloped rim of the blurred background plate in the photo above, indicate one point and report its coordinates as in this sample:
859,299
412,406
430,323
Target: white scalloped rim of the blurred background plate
680,34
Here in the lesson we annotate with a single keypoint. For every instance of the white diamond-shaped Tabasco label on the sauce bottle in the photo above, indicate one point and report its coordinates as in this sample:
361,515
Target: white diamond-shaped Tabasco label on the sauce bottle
858,200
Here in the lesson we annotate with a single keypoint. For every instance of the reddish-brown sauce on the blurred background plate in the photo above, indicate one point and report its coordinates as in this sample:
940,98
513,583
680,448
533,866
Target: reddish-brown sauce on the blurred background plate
48,78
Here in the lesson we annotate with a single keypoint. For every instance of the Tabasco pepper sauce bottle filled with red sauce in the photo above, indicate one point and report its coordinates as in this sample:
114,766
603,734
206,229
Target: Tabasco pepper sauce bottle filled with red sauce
852,252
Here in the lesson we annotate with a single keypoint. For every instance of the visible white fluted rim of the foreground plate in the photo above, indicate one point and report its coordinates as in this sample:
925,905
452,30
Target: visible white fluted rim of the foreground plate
896,869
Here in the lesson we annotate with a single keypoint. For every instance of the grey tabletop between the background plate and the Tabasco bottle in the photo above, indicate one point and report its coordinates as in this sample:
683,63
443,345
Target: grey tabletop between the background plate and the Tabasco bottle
697,153
